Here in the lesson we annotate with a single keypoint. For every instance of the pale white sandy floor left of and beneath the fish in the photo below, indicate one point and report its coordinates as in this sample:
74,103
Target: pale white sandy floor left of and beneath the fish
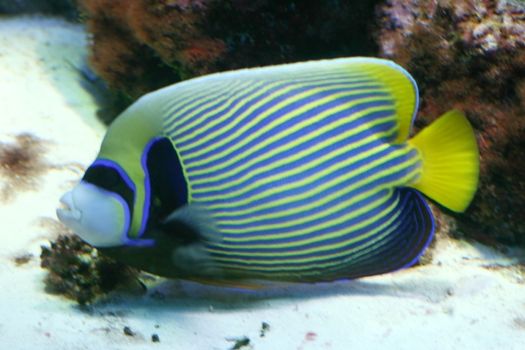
469,297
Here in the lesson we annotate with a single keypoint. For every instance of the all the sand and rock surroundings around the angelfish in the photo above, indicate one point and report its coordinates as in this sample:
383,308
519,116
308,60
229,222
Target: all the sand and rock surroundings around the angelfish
68,68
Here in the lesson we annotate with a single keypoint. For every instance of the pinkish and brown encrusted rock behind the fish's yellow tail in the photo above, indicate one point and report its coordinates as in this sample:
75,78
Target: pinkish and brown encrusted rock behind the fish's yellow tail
470,55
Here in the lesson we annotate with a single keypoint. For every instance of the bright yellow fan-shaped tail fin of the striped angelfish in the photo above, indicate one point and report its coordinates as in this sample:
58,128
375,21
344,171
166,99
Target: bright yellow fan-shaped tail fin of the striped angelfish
450,161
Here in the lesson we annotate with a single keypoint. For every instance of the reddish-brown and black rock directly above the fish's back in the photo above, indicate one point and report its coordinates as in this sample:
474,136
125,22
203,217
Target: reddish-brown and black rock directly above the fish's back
138,46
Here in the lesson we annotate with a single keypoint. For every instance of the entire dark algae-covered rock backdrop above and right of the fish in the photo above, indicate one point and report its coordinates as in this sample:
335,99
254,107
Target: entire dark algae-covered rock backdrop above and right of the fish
467,54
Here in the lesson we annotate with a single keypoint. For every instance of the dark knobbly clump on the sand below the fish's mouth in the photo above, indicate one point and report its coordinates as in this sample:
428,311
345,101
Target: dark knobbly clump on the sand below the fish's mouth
77,271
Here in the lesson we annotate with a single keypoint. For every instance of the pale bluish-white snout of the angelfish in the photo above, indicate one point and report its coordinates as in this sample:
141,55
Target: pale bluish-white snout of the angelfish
98,216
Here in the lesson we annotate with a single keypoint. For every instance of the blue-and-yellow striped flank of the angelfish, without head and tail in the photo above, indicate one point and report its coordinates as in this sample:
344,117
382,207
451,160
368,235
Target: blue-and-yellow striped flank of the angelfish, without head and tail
301,168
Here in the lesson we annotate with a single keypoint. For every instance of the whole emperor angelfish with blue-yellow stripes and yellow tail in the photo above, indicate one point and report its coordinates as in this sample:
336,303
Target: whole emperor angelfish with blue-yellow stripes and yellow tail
298,172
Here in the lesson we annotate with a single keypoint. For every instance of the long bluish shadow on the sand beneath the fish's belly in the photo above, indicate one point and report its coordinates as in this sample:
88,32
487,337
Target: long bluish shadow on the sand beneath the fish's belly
173,296
